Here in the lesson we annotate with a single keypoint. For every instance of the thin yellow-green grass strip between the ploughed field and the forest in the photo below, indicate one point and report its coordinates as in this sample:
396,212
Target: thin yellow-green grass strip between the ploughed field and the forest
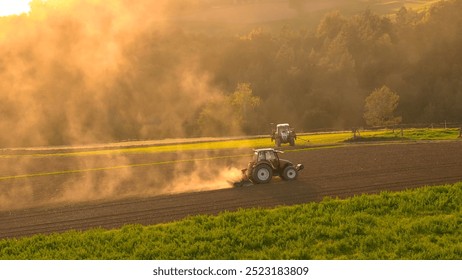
304,140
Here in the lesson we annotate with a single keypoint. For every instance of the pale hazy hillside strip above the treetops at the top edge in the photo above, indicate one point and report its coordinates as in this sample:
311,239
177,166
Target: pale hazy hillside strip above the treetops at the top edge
240,15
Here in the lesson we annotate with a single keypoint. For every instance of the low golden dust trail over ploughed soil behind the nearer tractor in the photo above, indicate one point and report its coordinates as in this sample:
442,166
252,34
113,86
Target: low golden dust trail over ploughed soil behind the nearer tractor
39,180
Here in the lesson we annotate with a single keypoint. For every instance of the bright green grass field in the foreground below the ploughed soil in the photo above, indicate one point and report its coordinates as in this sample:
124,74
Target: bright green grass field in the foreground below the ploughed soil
423,223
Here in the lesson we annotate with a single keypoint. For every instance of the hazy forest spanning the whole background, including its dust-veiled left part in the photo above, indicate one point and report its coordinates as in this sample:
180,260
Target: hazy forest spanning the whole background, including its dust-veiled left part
75,72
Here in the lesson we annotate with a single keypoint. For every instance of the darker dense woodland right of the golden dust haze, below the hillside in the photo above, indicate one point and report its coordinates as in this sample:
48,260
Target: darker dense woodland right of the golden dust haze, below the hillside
321,78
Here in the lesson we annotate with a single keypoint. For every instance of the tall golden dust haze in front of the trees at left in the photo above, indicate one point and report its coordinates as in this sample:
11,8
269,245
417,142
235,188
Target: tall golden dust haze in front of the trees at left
79,72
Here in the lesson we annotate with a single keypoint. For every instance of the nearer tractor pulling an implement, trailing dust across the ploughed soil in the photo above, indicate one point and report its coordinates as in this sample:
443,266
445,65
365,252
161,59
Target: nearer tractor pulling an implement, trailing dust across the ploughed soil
265,164
